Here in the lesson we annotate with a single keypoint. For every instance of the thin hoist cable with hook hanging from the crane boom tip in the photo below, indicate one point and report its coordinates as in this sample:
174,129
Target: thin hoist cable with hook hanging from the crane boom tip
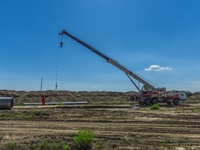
60,43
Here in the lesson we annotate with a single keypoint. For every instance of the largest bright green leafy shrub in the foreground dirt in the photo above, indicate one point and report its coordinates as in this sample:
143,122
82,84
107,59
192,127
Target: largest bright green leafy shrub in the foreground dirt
84,139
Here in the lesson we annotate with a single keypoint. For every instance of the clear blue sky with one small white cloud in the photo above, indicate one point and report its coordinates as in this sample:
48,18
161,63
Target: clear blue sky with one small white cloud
157,39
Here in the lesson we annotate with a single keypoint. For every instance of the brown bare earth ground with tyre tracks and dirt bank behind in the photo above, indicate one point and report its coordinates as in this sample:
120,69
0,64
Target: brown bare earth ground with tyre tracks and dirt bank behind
108,115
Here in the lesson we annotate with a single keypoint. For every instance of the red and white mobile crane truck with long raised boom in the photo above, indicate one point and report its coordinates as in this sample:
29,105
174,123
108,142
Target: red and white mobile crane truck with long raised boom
149,94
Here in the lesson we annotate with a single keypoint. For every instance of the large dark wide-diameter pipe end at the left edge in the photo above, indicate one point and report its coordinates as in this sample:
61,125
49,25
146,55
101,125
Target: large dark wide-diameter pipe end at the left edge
6,103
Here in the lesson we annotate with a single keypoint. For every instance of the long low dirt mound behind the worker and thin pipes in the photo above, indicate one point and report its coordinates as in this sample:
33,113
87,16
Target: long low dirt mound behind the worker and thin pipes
21,97
